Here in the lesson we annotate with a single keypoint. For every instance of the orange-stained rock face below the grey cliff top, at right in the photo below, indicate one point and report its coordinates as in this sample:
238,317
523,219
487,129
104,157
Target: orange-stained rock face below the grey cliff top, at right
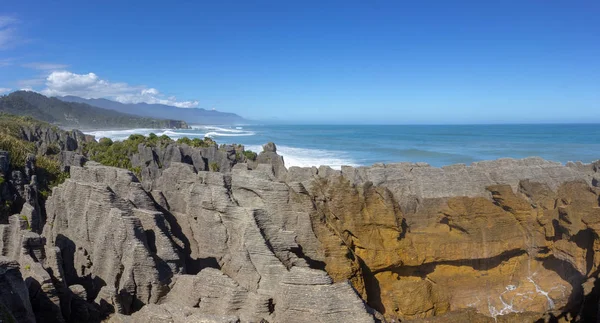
513,251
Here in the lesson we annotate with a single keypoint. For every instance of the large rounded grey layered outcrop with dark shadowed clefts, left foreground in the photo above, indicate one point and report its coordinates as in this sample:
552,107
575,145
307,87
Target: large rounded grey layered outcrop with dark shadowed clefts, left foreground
112,239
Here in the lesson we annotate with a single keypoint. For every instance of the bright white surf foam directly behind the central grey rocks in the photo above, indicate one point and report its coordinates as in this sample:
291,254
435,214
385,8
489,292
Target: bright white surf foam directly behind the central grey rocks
303,157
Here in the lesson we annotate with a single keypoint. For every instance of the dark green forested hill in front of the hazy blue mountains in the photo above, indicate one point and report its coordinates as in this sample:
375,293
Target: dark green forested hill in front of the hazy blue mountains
79,115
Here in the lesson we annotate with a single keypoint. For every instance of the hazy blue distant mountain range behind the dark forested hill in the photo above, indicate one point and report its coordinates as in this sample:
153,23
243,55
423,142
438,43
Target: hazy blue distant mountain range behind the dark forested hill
190,115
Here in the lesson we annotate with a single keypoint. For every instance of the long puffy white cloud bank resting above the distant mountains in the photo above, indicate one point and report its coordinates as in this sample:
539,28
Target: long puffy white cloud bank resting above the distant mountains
60,83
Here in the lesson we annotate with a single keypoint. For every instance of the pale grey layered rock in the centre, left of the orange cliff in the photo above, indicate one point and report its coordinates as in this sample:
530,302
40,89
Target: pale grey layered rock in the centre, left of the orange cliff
245,221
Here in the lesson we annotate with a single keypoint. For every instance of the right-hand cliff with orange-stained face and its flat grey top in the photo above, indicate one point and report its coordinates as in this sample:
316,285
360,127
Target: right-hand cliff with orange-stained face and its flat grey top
513,236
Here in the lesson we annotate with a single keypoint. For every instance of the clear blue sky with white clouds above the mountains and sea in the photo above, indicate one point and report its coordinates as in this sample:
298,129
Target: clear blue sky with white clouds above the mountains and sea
369,61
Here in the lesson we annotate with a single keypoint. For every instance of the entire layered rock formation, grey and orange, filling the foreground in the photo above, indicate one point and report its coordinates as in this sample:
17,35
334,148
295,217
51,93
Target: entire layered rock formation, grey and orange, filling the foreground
496,241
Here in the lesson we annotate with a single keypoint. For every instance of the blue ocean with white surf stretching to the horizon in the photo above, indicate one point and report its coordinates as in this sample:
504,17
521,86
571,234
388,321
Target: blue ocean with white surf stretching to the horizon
437,145
